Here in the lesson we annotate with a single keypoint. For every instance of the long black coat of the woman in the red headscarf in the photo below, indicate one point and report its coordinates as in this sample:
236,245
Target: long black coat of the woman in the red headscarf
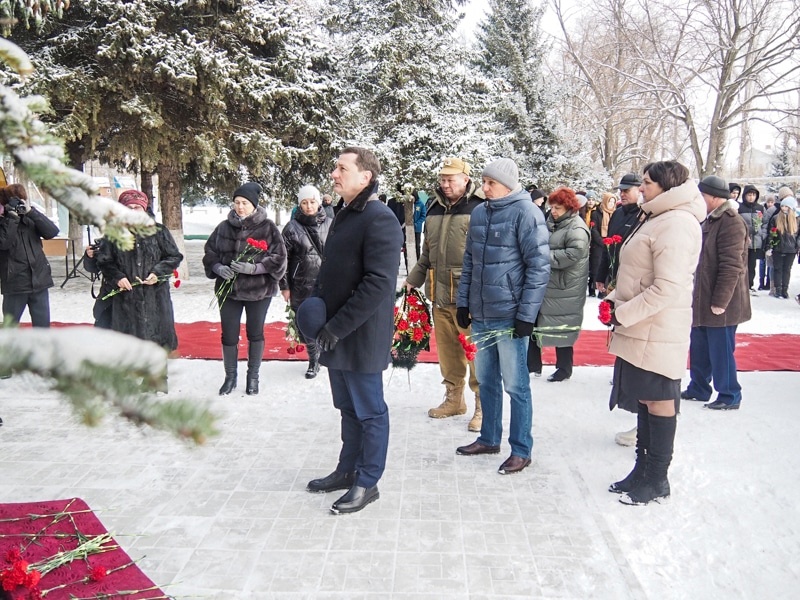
146,310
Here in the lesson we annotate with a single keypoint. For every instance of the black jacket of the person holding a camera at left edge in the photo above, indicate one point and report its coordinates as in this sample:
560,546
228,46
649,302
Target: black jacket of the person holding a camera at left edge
23,266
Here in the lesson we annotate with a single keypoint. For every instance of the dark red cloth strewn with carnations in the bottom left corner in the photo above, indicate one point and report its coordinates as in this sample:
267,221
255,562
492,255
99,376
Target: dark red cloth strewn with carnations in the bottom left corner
32,534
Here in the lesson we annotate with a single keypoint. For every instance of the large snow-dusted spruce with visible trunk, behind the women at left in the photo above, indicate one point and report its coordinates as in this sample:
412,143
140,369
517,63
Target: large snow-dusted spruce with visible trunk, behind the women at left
220,89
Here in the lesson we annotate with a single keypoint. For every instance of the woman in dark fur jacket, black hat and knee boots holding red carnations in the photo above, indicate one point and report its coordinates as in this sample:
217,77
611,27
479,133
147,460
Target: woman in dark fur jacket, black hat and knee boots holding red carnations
255,280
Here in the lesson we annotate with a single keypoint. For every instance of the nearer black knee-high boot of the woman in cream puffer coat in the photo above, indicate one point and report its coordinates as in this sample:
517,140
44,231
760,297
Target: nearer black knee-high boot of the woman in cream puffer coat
655,485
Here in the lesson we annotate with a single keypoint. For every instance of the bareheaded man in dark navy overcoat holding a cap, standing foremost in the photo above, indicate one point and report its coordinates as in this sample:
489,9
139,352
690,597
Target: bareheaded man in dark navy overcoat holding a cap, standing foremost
357,283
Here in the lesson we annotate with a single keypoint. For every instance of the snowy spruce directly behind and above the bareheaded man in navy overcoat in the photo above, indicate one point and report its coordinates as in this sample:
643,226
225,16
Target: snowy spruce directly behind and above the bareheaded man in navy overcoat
406,90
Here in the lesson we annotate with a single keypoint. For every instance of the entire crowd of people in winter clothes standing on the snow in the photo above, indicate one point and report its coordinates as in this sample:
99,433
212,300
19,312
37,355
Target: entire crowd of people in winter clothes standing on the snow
674,261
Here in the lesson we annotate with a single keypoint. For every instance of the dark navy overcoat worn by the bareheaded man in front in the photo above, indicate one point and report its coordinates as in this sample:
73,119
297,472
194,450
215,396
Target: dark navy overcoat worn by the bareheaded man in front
357,281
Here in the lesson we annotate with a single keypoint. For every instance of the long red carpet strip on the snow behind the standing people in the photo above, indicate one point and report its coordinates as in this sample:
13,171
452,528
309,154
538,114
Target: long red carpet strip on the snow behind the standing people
753,352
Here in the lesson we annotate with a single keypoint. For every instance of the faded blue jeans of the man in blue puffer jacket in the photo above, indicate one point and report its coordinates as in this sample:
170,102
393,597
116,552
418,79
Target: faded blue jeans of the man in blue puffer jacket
502,362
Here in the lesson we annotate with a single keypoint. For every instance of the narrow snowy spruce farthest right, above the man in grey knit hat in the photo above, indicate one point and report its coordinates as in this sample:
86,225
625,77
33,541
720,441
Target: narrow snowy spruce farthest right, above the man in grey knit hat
510,54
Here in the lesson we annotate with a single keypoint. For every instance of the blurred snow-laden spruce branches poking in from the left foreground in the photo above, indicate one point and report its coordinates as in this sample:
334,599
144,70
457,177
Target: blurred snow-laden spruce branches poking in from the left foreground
93,381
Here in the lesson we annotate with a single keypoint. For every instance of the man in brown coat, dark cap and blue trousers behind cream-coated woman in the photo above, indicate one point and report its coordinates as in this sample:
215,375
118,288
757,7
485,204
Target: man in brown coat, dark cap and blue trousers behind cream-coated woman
720,300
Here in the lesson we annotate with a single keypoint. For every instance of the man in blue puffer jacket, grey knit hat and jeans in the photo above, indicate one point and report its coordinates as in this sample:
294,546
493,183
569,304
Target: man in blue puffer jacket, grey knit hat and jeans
503,280
